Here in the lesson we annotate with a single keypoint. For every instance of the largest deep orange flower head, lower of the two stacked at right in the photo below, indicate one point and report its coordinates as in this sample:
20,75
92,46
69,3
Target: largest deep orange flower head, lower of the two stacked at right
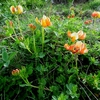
77,48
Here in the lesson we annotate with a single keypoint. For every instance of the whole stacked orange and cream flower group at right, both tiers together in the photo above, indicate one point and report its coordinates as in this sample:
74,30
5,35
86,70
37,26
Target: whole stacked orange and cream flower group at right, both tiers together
78,47
